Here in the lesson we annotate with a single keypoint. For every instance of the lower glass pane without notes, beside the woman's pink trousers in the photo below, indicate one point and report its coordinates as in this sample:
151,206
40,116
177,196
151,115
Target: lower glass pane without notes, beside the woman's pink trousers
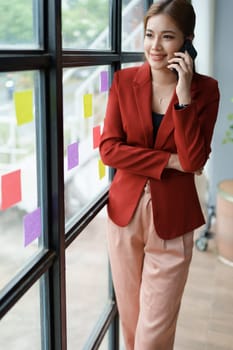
87,282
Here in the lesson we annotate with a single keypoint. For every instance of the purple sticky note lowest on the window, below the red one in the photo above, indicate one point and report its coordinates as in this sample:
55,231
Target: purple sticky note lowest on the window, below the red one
32,226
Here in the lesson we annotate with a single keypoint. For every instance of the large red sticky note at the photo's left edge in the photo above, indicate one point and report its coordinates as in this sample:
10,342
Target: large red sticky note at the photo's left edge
11,189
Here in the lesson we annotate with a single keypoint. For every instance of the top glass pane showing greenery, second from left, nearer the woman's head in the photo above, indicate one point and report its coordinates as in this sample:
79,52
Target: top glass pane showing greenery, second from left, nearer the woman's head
85,24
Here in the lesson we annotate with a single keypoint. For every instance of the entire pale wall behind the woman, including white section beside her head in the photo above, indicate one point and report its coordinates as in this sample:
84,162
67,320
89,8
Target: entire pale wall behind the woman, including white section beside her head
214,43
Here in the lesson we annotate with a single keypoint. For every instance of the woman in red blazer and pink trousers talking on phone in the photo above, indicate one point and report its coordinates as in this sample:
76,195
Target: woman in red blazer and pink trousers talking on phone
157,133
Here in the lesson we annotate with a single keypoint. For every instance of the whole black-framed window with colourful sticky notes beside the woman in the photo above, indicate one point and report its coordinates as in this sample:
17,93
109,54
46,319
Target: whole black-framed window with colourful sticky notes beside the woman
57,60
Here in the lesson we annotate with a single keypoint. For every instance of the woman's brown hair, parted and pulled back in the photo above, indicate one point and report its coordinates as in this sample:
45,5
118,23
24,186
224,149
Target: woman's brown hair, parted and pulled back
181,11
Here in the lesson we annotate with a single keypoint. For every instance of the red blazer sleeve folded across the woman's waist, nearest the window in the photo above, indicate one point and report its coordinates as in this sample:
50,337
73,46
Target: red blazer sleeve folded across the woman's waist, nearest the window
114,150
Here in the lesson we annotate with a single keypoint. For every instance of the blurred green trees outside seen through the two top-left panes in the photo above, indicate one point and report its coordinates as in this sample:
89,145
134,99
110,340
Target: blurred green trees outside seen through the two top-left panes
82,21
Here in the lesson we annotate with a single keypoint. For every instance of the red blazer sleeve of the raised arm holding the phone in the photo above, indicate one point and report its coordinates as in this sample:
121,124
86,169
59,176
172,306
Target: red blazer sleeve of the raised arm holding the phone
194,127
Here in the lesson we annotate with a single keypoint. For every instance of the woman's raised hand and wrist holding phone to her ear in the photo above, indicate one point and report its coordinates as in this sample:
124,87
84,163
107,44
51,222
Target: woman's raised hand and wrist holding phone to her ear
183,64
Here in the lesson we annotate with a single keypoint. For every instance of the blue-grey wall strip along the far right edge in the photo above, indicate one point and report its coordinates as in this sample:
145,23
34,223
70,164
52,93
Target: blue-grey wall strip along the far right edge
223,71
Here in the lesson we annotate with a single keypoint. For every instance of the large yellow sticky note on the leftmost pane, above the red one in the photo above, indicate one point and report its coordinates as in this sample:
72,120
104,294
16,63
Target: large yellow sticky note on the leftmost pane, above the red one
23,106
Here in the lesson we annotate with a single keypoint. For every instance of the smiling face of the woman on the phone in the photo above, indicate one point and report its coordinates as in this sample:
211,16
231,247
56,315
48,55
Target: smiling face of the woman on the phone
162,39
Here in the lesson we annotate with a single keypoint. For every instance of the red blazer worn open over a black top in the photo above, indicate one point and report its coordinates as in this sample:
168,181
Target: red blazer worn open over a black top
127,145
